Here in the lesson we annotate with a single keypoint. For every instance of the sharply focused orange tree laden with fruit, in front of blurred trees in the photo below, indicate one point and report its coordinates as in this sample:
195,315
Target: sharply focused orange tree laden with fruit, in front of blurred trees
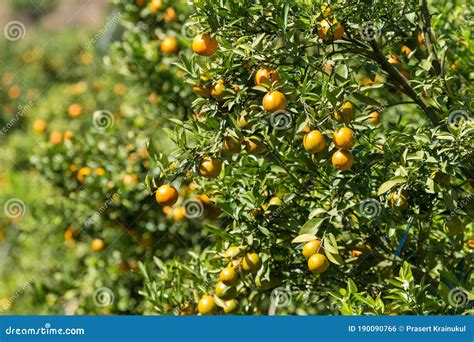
336,139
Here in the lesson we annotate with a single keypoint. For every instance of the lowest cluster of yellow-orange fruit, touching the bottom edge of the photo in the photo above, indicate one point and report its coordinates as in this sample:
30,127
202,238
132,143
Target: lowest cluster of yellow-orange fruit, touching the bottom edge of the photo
226,287
